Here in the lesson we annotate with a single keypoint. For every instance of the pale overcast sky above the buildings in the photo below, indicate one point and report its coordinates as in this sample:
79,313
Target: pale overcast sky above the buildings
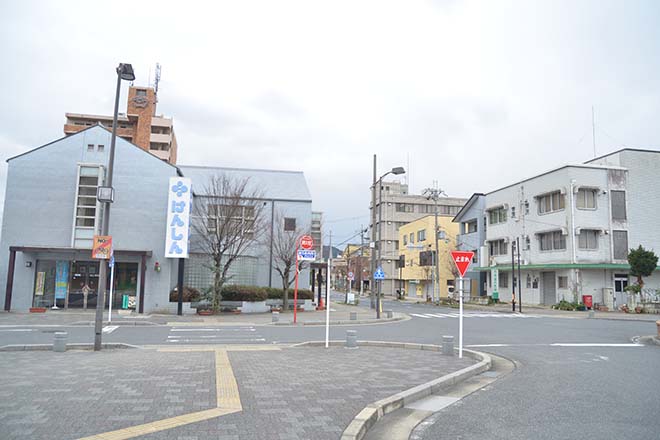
473,95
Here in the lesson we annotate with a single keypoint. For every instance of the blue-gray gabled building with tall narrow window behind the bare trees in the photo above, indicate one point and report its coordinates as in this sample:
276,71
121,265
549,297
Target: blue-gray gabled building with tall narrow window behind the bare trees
51,215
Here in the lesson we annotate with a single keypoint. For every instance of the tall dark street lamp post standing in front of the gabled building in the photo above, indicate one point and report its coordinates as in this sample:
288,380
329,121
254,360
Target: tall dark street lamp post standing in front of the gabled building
124,72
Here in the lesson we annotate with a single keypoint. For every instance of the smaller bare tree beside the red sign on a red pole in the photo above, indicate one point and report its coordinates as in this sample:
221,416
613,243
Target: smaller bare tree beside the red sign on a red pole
285,236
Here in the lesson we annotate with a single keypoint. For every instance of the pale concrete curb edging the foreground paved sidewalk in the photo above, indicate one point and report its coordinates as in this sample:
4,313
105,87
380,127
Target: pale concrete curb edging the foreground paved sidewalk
365,419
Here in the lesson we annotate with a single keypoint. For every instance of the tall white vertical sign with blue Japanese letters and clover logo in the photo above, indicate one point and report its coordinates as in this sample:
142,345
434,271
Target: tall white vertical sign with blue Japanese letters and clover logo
179,207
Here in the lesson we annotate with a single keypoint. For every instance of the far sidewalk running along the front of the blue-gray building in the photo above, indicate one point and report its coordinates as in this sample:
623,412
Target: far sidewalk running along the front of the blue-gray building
339,314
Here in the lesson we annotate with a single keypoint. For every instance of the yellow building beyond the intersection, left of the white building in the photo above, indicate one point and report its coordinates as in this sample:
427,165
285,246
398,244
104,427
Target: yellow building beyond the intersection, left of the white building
417,237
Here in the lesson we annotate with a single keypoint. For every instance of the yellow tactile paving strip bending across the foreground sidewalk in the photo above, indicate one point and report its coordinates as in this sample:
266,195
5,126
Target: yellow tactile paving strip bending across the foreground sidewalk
228,401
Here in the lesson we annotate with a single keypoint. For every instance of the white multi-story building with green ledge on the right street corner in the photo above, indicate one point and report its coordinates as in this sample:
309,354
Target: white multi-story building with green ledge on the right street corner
575,225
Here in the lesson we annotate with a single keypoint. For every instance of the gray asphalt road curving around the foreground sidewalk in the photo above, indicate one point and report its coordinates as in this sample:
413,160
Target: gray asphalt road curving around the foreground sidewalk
575,378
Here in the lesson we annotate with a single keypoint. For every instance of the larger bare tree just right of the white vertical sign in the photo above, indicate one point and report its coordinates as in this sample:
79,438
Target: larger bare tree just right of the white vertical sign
228,218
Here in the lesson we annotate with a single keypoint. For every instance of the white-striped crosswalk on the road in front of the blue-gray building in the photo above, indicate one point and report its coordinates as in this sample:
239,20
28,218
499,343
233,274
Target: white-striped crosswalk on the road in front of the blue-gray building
215,335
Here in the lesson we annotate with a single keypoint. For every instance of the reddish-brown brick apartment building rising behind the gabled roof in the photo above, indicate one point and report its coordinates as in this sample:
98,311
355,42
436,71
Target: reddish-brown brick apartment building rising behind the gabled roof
139,125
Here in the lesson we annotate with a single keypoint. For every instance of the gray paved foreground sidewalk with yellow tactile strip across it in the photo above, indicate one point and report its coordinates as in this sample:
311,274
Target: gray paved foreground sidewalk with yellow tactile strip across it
292,393
